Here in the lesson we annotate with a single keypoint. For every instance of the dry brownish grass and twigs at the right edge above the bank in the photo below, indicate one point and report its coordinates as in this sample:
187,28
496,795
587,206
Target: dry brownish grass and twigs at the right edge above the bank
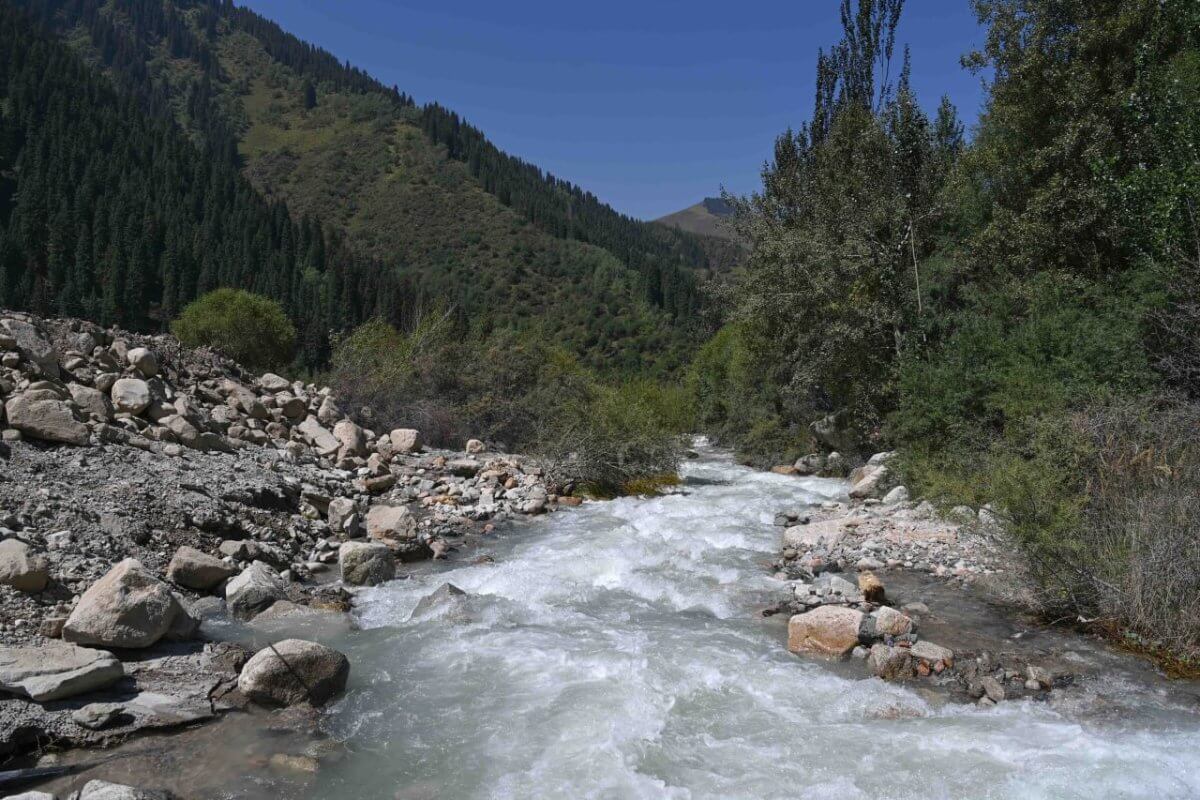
1133,564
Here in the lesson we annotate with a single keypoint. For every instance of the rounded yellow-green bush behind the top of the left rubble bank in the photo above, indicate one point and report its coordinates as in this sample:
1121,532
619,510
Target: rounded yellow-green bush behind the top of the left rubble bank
248,328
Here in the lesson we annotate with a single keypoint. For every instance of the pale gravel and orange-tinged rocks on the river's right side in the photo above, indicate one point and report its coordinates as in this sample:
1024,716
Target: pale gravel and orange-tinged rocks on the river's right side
880,528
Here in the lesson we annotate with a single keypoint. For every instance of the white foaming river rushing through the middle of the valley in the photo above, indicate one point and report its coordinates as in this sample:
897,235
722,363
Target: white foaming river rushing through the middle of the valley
617,652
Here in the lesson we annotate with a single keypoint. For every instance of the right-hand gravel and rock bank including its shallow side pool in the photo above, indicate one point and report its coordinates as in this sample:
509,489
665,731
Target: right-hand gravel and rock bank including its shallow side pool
939,601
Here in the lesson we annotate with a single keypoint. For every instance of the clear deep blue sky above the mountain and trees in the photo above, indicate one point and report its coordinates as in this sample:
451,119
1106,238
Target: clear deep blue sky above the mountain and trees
651,105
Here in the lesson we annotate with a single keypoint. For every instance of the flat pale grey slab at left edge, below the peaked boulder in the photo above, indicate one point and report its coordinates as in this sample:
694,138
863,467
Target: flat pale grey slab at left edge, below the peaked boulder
57,671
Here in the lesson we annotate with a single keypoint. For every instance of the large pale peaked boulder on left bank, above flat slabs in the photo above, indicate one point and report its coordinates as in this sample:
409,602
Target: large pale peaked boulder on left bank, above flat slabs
127,609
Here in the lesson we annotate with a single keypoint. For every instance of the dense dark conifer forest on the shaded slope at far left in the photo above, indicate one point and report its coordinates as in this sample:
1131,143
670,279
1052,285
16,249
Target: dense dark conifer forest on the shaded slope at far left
115,214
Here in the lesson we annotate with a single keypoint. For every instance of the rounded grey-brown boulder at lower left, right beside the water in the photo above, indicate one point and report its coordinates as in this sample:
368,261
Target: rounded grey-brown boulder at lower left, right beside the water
293,672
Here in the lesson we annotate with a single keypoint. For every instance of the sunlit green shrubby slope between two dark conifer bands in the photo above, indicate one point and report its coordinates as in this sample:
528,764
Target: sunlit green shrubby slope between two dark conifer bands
358,163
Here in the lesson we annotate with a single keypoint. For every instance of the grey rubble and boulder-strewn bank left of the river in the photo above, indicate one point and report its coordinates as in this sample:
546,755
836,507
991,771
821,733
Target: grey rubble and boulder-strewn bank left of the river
148,494
